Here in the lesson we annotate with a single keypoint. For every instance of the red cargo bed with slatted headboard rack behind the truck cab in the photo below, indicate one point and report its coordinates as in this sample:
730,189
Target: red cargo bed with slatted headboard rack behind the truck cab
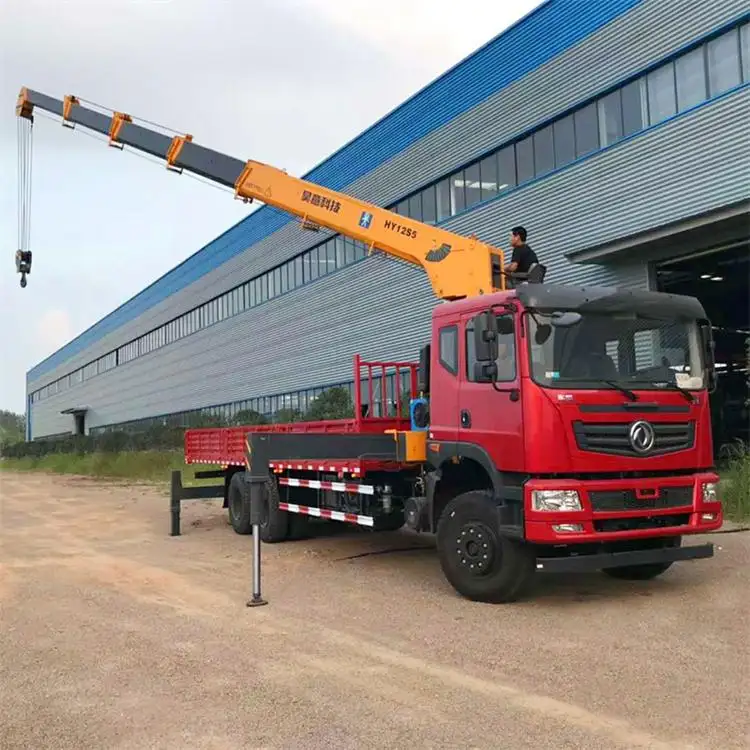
226,445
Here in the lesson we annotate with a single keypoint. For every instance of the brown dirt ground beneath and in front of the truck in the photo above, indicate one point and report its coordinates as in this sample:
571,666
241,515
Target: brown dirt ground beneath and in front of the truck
115,635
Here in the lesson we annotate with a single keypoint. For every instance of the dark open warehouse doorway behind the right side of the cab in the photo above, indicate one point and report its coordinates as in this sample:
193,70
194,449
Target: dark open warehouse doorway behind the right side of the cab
719,278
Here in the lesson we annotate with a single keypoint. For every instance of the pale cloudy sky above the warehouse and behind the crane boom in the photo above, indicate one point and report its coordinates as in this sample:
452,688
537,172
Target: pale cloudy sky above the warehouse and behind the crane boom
286,82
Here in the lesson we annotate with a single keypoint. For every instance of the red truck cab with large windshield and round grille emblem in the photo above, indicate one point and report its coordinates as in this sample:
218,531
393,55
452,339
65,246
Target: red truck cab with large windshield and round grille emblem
580,417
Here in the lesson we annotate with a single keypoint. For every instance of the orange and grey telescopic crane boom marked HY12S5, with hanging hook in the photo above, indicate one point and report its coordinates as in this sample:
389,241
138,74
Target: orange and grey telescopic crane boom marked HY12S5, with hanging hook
457,266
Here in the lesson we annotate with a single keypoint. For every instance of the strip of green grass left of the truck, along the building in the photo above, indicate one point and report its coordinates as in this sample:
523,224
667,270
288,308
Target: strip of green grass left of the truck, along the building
147,466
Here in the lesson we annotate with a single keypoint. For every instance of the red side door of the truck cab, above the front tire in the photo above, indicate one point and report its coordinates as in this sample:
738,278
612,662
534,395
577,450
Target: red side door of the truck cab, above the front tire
490,417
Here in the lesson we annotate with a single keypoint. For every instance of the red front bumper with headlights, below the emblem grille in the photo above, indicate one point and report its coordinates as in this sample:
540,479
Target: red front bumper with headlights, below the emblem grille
643,518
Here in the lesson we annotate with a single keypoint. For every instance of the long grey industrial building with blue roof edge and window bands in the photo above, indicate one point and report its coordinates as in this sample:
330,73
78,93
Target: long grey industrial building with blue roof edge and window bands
615,131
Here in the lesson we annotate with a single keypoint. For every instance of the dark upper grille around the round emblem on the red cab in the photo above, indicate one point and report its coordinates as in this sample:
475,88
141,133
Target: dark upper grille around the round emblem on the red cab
612,438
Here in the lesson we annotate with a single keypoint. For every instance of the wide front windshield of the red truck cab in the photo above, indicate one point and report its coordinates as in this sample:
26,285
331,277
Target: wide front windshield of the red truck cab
615,351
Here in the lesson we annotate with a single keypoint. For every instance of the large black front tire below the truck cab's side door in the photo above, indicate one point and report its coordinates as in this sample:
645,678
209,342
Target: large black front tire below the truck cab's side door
498,572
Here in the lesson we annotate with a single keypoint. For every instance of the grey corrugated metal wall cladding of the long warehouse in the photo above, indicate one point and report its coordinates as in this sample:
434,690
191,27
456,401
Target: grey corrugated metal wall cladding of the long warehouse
652,179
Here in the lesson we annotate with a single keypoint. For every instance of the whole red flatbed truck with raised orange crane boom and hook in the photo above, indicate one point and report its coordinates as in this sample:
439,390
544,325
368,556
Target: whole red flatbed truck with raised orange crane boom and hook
550,427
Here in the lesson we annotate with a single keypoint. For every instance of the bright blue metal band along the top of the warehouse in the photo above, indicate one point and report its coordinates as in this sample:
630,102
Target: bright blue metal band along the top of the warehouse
549,30
